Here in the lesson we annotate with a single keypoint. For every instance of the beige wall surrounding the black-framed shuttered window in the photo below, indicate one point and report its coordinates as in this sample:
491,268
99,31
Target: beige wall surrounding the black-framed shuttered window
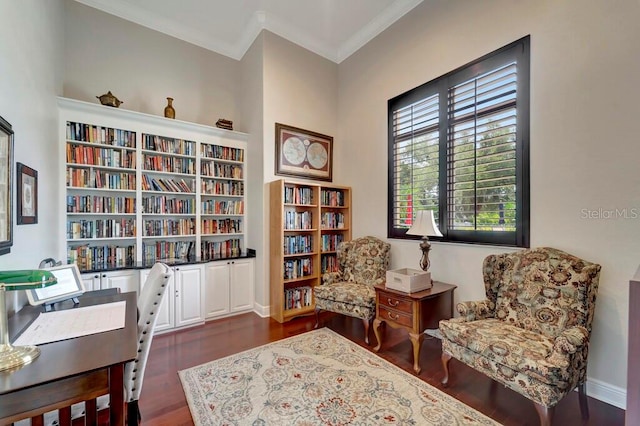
585,61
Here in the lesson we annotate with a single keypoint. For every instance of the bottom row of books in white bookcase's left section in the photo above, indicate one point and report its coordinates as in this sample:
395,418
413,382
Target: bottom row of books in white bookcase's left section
101,257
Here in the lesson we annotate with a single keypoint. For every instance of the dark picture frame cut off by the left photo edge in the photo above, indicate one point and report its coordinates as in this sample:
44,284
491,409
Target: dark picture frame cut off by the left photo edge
6,186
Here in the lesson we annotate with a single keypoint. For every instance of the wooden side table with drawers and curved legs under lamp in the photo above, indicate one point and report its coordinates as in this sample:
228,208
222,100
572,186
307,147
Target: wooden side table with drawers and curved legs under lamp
414,312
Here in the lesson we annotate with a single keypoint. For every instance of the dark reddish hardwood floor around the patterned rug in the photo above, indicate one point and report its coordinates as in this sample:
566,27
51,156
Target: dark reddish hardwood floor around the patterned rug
163,401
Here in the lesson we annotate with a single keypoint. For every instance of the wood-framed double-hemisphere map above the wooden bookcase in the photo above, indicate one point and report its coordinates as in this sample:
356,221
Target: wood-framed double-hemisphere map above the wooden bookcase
303,153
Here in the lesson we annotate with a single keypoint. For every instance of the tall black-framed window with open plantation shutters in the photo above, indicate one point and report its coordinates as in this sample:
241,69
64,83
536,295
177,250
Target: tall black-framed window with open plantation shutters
458,145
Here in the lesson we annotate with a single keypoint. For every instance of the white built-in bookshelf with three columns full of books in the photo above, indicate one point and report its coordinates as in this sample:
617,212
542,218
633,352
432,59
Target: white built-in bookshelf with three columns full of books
141,188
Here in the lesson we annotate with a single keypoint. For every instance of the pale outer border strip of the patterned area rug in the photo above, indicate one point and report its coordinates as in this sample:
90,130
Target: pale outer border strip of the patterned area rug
414,379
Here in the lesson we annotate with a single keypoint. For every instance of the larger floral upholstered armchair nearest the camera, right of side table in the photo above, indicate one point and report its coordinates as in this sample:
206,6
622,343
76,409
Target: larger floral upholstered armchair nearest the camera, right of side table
532,332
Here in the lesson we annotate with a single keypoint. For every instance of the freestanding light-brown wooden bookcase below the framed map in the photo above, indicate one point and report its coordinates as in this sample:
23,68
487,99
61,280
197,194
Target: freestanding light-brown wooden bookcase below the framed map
307,222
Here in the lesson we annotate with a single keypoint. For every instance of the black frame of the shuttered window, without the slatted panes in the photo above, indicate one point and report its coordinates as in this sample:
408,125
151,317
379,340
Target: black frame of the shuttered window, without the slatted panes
518,51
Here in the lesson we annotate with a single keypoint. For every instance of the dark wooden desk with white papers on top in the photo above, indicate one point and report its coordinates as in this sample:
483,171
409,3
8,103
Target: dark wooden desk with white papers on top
73,370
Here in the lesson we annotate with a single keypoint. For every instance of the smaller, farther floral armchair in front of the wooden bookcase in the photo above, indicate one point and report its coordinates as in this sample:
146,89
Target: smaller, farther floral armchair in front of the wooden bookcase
363,263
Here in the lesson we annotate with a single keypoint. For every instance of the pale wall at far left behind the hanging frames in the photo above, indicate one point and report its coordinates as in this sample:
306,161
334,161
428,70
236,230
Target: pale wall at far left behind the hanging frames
31,70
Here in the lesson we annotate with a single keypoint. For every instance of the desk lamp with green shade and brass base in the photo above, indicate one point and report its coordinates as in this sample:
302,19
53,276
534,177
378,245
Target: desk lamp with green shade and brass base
16,356
